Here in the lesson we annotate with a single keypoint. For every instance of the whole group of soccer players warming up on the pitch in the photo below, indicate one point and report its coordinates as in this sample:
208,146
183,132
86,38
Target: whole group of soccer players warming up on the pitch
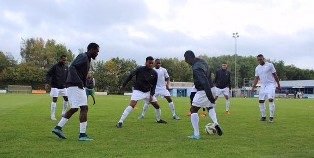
152,81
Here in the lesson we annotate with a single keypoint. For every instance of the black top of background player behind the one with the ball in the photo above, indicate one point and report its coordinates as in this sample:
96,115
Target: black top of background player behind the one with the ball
222,79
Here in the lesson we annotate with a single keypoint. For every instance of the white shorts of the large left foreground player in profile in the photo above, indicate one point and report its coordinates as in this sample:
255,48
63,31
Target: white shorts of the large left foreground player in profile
77,97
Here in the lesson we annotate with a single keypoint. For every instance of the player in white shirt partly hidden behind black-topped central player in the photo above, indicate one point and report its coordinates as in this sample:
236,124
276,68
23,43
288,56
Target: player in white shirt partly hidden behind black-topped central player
162,88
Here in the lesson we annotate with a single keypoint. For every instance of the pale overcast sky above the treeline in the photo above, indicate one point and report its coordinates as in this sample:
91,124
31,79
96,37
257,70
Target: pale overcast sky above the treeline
135,29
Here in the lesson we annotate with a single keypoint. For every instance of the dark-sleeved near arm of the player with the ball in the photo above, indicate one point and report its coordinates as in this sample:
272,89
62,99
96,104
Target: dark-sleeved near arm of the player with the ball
201,77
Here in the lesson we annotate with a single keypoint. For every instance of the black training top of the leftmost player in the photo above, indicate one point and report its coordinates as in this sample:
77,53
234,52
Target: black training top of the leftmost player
57,75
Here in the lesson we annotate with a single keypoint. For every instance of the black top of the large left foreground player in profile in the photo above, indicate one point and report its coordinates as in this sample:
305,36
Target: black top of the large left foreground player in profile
78,71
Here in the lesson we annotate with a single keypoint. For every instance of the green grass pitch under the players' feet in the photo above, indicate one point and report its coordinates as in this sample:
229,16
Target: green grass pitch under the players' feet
25,130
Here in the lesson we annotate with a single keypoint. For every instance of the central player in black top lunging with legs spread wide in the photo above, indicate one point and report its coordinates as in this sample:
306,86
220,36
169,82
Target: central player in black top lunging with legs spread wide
144,89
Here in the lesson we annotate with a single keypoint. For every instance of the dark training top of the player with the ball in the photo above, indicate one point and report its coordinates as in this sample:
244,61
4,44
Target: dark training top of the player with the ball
202,78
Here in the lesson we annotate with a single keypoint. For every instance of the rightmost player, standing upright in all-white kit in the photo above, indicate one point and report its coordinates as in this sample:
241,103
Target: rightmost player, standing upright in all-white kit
266,73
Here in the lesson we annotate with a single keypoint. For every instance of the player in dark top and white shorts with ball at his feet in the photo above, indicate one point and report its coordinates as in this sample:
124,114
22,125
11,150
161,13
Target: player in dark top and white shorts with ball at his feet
204,95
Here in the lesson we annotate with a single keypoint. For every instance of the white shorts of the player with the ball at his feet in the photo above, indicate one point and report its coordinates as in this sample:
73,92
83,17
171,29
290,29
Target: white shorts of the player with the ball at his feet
200,99
